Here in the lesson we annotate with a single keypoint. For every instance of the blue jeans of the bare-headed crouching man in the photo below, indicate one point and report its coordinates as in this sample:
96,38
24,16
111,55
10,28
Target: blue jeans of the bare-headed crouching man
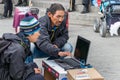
40,54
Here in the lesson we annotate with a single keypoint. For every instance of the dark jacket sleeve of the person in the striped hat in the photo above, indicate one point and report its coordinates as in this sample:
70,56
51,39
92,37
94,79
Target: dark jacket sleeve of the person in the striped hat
17,67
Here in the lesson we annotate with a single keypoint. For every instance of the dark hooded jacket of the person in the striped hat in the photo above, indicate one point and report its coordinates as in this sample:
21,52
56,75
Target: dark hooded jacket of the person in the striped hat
13,59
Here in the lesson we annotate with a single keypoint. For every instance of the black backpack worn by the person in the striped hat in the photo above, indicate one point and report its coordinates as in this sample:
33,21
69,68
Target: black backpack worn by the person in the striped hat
4,44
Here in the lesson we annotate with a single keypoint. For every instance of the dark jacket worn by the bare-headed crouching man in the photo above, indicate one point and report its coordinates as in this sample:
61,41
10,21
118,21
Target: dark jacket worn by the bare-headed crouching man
45,43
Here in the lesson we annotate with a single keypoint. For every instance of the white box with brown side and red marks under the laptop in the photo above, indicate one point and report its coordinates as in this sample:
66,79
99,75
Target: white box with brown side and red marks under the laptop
53,71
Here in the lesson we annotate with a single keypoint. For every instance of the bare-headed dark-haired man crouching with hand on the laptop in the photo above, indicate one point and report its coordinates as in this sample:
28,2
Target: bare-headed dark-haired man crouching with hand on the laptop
54,34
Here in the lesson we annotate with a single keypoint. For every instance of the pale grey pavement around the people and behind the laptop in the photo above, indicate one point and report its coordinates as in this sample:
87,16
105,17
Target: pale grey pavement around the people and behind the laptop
104,53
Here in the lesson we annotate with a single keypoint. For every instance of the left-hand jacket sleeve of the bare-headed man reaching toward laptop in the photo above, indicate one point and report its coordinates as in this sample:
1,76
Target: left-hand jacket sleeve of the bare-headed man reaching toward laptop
44,43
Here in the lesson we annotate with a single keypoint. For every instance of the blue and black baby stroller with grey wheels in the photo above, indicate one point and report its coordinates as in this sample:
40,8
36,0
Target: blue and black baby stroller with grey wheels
110,10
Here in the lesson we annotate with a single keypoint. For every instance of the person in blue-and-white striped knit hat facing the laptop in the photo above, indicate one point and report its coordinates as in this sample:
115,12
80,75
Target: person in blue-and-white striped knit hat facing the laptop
13,58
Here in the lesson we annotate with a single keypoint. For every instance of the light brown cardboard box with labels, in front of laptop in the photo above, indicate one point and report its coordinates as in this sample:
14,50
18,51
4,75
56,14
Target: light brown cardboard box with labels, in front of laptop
84,74
